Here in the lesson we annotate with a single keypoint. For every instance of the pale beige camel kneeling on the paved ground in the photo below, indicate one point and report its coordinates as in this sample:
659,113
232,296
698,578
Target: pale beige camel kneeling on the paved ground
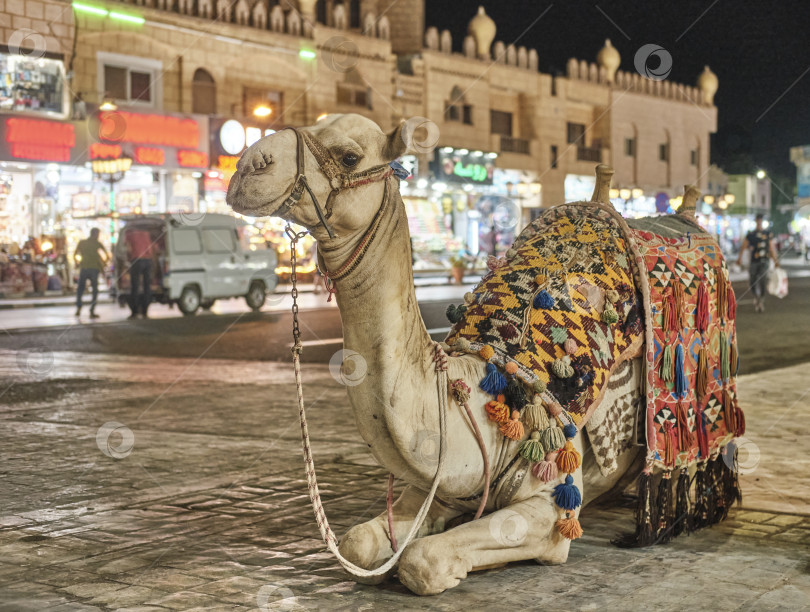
396,406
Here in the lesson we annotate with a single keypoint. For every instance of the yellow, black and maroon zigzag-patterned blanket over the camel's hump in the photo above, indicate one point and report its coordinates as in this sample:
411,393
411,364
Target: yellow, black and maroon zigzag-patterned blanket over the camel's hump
573,255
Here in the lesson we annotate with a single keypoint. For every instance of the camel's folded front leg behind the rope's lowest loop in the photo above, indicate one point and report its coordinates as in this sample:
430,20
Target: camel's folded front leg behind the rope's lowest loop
368,546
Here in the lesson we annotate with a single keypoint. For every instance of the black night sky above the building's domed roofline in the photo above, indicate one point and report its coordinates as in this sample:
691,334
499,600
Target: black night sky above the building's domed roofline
758,50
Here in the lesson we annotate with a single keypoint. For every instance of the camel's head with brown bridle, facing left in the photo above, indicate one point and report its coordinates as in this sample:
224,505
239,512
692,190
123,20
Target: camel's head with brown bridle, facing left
342,156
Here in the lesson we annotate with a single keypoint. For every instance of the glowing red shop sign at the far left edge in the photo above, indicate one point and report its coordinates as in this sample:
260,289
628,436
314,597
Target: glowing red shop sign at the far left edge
39,140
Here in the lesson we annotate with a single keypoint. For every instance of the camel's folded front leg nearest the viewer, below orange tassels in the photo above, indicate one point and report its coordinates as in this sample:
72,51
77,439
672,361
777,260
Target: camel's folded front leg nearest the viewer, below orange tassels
525,530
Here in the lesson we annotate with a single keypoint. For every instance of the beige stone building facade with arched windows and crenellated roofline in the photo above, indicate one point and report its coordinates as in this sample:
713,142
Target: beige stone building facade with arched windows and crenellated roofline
537,136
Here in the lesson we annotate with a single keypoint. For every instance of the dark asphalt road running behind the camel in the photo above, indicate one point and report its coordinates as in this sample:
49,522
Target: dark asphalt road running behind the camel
774,339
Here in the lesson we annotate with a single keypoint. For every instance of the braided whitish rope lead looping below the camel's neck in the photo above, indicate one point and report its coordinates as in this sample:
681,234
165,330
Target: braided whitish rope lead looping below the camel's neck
314,494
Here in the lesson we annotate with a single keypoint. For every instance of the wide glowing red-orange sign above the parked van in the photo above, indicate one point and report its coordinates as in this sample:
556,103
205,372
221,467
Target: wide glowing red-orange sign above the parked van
167,131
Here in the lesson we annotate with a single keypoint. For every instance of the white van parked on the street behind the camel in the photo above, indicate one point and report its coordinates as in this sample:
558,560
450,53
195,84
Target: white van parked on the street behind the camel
198,260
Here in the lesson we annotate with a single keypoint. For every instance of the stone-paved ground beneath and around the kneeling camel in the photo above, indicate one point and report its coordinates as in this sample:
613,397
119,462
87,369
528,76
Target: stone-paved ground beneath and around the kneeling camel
206,507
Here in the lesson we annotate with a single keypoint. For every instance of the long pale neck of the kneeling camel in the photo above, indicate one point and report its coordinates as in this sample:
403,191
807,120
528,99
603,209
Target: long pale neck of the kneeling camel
383,324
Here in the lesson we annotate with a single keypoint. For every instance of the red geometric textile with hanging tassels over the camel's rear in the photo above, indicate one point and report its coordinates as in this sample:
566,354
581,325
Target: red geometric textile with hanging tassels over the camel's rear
692,264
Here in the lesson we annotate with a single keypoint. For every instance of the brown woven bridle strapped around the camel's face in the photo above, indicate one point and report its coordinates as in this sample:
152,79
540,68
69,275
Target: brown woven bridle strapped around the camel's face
339,178
